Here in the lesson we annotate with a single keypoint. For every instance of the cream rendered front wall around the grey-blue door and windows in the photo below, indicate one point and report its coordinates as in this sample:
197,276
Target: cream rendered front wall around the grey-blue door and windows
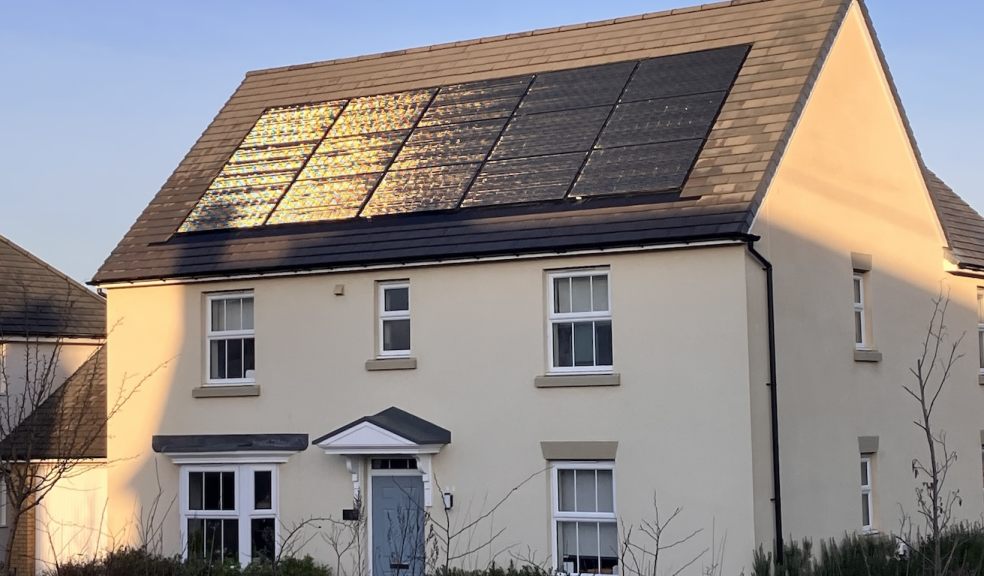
681,415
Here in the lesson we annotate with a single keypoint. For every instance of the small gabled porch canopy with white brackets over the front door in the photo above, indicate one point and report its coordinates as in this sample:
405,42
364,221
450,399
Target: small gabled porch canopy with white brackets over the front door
392,431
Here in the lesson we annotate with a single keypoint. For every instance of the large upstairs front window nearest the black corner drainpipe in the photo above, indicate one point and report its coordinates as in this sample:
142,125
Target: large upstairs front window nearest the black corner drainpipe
580,322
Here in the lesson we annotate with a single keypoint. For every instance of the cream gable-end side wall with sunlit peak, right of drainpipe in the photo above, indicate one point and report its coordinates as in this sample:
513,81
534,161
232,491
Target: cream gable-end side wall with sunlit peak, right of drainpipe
848,182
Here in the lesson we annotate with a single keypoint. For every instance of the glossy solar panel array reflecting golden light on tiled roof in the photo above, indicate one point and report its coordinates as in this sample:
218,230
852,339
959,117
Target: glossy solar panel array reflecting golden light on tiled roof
621,128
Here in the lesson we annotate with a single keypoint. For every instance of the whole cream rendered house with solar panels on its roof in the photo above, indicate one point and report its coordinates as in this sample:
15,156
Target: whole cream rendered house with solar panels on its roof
521,284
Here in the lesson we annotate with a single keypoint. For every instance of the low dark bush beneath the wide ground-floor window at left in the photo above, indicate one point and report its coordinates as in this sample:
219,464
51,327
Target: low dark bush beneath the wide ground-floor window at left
137,562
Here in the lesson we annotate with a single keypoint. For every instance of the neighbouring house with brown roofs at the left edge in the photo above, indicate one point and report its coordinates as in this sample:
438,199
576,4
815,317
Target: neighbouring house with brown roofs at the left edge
52,413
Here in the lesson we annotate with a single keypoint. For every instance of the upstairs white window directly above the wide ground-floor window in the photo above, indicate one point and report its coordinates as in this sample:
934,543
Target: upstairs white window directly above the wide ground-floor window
230,339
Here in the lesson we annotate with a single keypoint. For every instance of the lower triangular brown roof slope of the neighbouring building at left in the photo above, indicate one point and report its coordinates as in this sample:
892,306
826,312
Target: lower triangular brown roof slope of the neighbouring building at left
69,424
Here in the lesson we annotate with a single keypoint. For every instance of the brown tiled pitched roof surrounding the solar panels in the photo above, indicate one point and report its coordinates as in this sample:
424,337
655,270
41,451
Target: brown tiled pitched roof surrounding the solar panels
788,39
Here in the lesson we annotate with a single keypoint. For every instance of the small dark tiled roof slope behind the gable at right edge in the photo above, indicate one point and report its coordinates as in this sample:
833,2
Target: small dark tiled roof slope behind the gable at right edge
962,225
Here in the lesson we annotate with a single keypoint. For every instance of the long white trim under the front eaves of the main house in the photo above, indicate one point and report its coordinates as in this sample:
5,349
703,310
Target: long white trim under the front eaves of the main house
422,264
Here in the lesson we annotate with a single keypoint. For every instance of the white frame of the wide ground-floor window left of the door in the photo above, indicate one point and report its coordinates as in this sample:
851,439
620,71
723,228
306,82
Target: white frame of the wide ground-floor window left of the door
243,510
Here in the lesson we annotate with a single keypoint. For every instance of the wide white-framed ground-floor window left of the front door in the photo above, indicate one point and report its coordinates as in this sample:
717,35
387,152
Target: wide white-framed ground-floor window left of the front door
229,512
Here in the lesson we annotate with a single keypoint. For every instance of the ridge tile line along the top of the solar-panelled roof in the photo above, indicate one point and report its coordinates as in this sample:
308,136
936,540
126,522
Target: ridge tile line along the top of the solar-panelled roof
509,36
